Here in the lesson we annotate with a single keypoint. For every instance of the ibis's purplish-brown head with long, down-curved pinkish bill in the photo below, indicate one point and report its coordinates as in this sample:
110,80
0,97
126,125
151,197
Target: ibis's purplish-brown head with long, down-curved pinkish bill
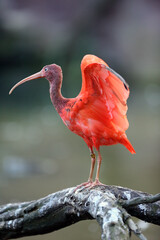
52,72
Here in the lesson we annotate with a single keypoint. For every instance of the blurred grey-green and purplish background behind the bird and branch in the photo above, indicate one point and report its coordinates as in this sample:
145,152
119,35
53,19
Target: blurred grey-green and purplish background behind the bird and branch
38,154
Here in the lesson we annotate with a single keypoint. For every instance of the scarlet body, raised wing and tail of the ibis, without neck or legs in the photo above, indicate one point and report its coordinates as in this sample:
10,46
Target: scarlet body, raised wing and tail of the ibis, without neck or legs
98,113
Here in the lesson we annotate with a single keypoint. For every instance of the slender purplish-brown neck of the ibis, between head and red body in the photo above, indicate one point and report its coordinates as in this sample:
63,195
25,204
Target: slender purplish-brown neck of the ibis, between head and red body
57,99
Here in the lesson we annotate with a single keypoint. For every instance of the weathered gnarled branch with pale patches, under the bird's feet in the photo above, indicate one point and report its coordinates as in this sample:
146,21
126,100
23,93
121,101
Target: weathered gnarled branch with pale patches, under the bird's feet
109,205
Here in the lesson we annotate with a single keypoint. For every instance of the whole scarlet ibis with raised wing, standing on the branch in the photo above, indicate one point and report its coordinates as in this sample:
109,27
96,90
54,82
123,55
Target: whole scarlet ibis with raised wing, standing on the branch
98,113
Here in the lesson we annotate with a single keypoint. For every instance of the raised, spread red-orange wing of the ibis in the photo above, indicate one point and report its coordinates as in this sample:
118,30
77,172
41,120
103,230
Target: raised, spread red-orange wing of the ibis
110,89
